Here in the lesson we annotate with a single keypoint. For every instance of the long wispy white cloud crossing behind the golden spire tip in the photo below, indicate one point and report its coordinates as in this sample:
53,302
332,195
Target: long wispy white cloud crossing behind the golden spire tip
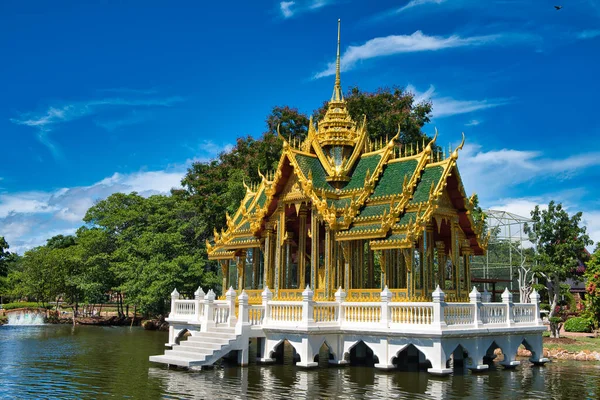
417,42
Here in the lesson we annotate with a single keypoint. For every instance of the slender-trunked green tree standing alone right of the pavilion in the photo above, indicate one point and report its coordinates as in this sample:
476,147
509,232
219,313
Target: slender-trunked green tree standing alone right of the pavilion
560,242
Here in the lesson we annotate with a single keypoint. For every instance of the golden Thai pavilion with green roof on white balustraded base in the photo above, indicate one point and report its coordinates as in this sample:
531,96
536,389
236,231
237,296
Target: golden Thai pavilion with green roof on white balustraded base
351,241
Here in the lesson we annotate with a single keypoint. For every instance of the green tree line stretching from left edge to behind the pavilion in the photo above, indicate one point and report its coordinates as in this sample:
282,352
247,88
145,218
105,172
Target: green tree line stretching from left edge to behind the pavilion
138,249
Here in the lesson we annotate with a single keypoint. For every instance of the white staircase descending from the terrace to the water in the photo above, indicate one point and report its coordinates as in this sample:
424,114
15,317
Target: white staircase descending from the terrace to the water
205,348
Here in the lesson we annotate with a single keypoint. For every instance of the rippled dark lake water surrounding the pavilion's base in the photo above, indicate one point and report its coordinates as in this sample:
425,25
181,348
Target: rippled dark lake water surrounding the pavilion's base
50,362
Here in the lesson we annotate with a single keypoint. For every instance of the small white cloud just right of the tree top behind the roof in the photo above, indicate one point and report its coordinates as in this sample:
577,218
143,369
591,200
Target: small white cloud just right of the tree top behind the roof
447,106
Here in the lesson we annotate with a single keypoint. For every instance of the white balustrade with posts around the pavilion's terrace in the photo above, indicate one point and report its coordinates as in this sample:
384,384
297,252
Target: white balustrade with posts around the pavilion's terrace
383,315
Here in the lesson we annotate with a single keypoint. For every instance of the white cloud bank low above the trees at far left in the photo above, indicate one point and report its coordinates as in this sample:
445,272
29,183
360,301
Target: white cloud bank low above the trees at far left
27,219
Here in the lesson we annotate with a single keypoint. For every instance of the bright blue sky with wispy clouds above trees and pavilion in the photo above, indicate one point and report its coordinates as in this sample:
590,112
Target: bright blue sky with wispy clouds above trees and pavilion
103,97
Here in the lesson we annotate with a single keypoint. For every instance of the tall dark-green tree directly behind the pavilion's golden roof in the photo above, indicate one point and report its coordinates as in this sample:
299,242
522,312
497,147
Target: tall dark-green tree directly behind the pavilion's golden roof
214,187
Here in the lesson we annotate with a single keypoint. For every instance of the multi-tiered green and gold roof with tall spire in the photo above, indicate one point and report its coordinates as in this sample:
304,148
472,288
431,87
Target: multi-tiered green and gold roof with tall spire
379,191
